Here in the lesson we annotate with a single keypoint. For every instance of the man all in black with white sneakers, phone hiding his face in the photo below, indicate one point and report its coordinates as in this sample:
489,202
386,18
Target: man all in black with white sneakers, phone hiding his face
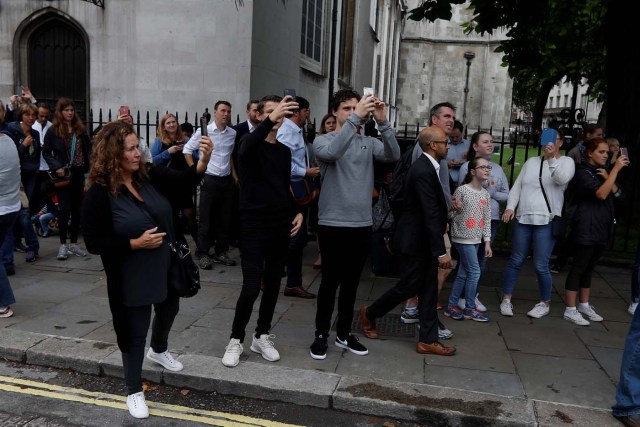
269,218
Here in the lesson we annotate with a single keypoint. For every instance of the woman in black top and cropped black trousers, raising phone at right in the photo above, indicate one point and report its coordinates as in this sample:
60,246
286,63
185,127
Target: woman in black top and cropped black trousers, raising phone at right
592,191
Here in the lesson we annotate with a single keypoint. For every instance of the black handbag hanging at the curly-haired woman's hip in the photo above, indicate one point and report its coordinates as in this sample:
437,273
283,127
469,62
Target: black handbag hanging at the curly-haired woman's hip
183,278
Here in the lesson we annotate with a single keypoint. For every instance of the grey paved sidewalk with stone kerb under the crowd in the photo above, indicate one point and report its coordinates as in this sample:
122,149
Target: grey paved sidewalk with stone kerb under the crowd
510,371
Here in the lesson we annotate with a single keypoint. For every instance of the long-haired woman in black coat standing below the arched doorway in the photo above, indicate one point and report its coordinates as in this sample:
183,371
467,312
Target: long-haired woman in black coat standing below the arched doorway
67,148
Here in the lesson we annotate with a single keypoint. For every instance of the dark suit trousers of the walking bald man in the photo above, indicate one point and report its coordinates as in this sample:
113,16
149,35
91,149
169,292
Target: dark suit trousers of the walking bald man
418,276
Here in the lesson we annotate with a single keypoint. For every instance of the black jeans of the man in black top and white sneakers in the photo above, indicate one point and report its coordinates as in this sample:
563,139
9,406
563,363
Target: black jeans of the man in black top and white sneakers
263,251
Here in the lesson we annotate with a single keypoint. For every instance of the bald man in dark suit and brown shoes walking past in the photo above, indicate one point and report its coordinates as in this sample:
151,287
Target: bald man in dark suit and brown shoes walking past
420,246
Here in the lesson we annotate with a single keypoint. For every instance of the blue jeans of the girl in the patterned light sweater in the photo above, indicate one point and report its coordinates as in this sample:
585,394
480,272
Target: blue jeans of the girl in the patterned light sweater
468,275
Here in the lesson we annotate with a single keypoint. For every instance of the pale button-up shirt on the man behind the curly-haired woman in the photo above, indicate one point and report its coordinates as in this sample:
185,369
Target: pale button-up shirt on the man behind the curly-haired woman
223,142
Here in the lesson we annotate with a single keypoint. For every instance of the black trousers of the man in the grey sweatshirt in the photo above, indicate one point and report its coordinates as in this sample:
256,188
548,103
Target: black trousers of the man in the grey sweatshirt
344,252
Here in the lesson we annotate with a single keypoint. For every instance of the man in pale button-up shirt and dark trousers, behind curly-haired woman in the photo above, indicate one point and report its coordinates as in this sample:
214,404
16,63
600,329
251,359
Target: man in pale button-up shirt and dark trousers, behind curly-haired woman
218,189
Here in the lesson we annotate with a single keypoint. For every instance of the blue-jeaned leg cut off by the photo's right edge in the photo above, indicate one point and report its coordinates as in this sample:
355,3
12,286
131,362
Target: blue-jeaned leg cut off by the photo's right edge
628,391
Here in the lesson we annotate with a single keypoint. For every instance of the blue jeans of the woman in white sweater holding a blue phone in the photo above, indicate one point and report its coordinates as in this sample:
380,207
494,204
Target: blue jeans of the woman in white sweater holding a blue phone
524,235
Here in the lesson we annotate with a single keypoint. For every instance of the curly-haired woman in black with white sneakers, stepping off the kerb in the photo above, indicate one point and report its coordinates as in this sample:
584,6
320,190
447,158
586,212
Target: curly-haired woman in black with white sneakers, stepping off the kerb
127,218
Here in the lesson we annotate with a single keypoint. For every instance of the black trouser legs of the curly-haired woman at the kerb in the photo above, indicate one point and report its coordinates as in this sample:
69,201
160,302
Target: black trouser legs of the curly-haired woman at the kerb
138,319
